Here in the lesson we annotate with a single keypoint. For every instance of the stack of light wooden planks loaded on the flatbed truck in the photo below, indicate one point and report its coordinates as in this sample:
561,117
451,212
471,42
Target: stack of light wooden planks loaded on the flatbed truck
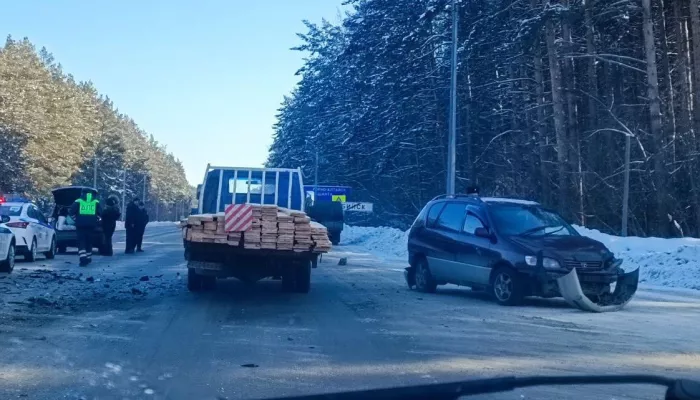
273,228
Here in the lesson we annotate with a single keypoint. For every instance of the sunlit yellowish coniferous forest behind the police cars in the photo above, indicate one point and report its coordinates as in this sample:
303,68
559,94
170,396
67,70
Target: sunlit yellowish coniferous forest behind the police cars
55,131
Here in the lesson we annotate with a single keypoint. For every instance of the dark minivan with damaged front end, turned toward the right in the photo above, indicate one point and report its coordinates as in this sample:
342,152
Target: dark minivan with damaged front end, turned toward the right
512,248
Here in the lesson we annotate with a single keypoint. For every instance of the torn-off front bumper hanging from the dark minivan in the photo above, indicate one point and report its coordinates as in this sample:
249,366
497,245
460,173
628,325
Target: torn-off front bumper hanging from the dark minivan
625,288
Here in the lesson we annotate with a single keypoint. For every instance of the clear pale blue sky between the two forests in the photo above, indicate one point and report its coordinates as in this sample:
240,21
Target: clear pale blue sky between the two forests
204,77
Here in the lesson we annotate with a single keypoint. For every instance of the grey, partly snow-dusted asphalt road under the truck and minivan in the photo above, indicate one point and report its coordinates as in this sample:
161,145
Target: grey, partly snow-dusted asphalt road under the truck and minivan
126,328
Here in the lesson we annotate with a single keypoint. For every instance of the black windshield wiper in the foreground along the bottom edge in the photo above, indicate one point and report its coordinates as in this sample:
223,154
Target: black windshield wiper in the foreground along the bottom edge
677,389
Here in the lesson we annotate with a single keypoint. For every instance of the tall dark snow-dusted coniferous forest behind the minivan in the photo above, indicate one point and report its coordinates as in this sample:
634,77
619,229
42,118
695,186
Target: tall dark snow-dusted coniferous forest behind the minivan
548,93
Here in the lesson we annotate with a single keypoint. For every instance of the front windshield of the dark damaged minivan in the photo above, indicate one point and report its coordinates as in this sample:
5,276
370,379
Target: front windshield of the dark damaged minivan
528,220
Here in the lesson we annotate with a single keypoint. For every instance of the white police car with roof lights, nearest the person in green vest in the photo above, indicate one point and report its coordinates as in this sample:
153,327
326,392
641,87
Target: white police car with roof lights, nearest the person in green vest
33,234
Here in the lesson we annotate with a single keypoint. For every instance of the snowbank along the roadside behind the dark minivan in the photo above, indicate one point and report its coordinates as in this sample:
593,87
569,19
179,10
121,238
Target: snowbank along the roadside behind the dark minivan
663,262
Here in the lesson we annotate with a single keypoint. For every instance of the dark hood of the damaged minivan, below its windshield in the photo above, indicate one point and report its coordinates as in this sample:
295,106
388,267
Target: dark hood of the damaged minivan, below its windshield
563,246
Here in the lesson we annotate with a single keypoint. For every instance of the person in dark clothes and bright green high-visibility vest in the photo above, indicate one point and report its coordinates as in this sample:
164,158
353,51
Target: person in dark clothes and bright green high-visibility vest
85,211
